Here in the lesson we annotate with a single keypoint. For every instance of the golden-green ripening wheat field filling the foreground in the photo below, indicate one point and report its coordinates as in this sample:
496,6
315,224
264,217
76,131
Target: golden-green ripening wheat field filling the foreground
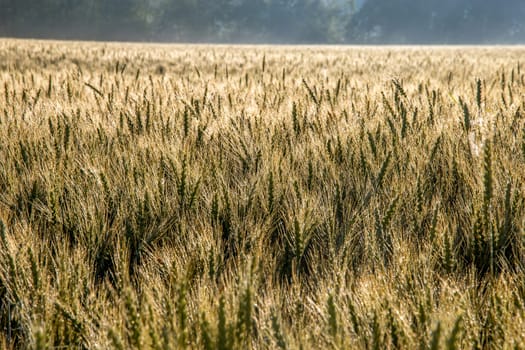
261,197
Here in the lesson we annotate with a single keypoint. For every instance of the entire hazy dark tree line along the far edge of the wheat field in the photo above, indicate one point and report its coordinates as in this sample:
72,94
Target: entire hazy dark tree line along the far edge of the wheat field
268,21
